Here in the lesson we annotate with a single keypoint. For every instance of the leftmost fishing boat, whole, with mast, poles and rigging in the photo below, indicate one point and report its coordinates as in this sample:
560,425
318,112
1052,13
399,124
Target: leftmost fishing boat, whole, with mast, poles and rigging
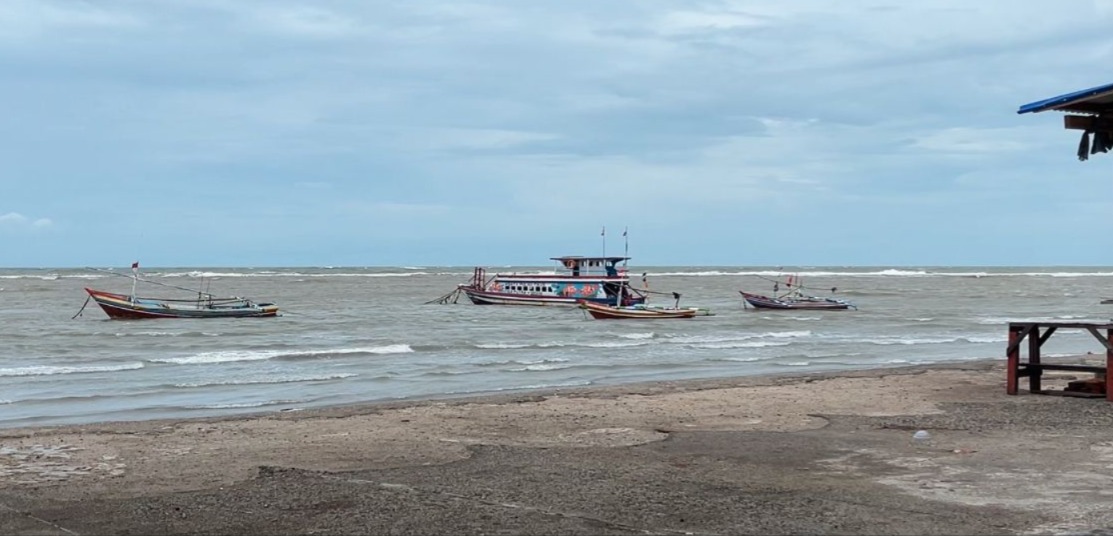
203,305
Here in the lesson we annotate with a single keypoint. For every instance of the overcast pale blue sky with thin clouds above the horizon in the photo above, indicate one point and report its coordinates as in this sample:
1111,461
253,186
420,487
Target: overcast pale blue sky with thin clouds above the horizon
329,133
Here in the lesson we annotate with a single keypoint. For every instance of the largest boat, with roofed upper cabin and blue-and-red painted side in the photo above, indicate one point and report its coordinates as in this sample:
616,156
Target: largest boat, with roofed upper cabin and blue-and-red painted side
594,280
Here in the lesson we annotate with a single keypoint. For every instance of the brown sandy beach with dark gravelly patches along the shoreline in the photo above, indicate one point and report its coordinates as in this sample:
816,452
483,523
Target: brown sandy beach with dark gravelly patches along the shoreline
805,454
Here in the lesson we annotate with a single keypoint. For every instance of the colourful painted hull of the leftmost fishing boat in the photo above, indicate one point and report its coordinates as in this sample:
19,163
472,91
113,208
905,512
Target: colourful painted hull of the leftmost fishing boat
123,307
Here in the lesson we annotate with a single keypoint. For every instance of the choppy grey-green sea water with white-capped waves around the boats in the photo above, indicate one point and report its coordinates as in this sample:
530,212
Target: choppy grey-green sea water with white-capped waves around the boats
352,335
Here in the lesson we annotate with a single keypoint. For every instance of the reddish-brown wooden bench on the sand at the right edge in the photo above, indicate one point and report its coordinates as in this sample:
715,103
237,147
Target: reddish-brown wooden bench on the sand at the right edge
1038,334
